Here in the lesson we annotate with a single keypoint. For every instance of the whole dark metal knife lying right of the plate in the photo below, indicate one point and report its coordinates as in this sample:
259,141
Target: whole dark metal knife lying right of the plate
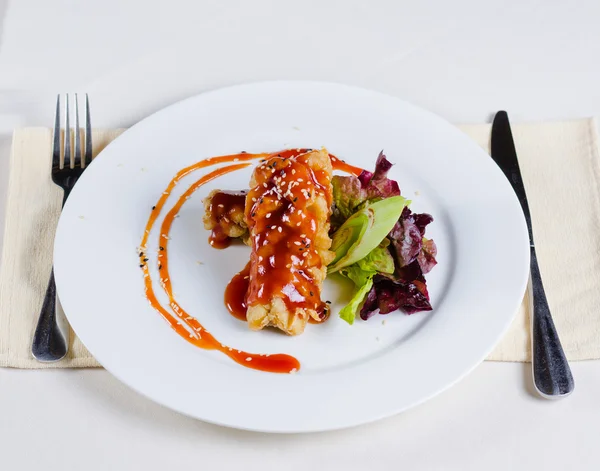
551,372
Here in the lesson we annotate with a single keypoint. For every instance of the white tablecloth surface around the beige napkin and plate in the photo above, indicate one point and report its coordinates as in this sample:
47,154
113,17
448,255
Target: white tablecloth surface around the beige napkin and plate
463,59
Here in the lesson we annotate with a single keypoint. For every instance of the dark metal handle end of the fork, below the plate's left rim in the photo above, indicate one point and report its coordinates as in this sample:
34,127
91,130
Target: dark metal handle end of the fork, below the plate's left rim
49,343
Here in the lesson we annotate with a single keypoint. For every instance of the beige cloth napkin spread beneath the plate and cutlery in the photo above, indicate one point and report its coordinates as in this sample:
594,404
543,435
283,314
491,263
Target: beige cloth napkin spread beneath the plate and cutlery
561,167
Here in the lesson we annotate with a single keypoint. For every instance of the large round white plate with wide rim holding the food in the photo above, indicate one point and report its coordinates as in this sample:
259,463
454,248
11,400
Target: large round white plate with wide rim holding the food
350,374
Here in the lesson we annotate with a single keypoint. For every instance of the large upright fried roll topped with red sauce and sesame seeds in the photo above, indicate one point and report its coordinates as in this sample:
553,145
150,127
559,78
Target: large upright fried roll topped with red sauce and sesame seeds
287,213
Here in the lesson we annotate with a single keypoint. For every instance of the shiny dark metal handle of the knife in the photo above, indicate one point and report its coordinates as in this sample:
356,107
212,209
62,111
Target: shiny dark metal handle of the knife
551,372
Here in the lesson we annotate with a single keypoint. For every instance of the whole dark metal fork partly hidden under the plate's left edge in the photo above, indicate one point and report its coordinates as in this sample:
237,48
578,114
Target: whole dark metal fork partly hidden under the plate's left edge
51,338
